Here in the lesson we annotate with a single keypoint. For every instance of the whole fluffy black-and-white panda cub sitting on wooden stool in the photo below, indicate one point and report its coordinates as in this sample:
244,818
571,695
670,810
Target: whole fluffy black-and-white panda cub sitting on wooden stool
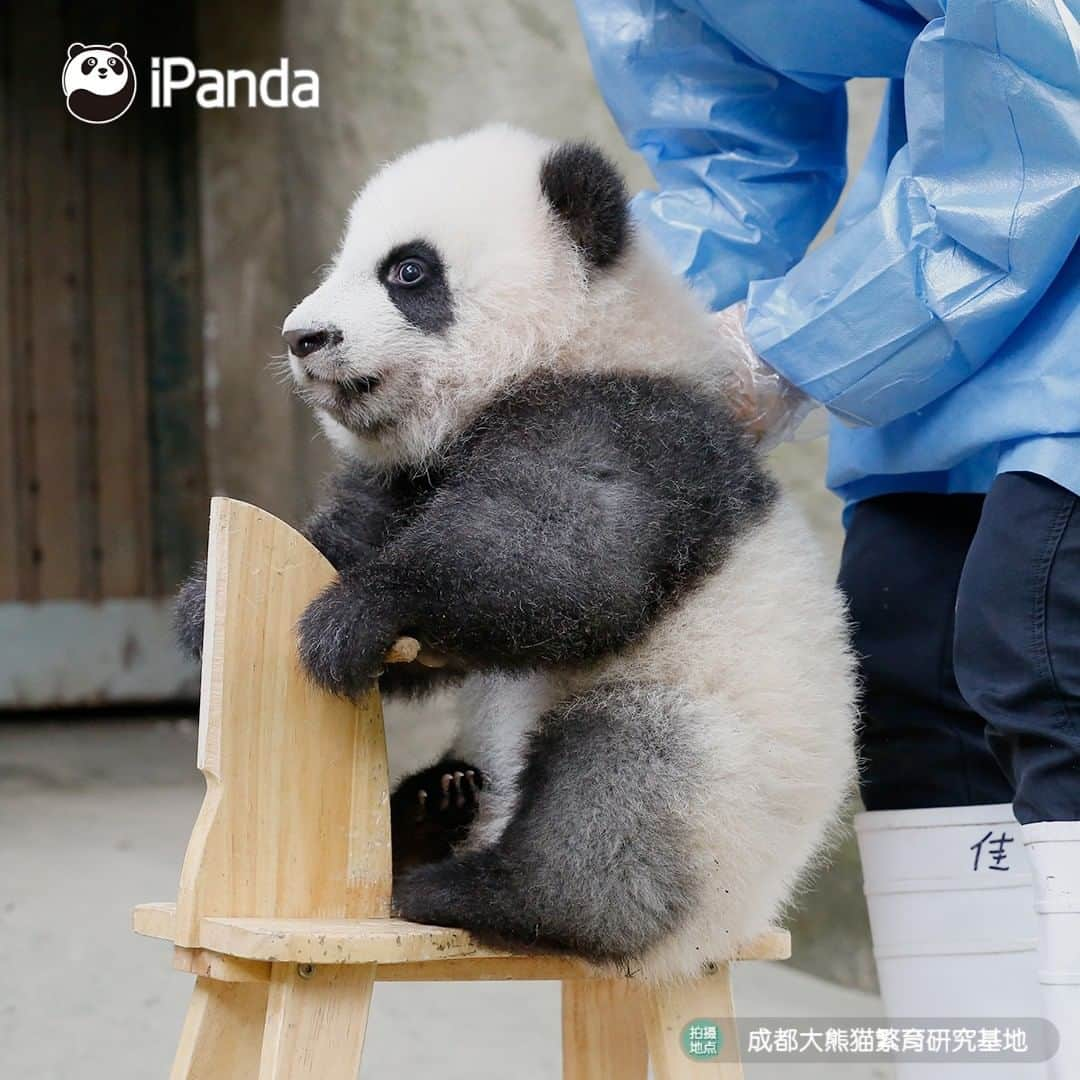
543,482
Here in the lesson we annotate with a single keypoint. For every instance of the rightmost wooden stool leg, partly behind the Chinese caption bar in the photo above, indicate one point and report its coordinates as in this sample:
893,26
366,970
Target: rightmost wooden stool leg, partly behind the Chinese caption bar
669,1009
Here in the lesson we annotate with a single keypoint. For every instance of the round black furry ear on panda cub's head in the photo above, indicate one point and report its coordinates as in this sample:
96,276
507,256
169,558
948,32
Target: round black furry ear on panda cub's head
588,194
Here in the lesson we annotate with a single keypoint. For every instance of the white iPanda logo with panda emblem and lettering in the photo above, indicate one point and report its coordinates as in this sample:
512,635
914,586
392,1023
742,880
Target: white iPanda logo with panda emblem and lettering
100,84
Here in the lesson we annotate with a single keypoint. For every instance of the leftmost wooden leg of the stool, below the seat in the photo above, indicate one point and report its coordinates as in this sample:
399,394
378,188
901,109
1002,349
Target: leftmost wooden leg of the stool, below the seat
223,1032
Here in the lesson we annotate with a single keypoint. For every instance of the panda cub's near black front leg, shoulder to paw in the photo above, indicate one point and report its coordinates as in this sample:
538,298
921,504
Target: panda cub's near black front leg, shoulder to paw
561,525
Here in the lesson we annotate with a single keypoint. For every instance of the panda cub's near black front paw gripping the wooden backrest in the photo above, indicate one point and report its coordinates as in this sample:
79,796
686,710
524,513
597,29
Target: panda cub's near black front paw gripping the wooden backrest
343,640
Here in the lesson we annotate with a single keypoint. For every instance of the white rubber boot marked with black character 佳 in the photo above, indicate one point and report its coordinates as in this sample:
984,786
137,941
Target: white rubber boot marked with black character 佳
953,920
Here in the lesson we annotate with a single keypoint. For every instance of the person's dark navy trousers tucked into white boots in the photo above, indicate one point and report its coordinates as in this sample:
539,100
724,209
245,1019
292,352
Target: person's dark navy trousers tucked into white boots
967,614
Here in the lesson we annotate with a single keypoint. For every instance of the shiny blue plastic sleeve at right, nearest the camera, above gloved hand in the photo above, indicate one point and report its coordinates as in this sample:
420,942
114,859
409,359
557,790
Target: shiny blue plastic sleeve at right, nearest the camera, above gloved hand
979,213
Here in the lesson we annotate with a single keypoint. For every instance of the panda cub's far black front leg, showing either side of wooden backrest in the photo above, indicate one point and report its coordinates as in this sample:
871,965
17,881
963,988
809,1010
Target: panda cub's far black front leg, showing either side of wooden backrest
347,528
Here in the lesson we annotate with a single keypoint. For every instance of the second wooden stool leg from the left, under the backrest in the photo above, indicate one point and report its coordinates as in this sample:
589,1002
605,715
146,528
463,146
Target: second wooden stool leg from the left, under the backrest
316,1025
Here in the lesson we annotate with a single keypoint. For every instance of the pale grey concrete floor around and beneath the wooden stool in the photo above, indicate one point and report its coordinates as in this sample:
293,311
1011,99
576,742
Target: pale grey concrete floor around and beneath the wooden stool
94,818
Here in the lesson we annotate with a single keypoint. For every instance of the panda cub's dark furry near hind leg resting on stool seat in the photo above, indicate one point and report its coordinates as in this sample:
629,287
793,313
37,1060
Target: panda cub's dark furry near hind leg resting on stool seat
580,868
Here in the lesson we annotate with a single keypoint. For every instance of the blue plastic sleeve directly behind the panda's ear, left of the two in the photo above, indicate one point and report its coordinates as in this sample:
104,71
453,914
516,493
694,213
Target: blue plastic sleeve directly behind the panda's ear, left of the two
749,161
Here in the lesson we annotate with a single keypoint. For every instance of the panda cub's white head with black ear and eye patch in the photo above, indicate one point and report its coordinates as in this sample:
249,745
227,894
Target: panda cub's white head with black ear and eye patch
467,264
